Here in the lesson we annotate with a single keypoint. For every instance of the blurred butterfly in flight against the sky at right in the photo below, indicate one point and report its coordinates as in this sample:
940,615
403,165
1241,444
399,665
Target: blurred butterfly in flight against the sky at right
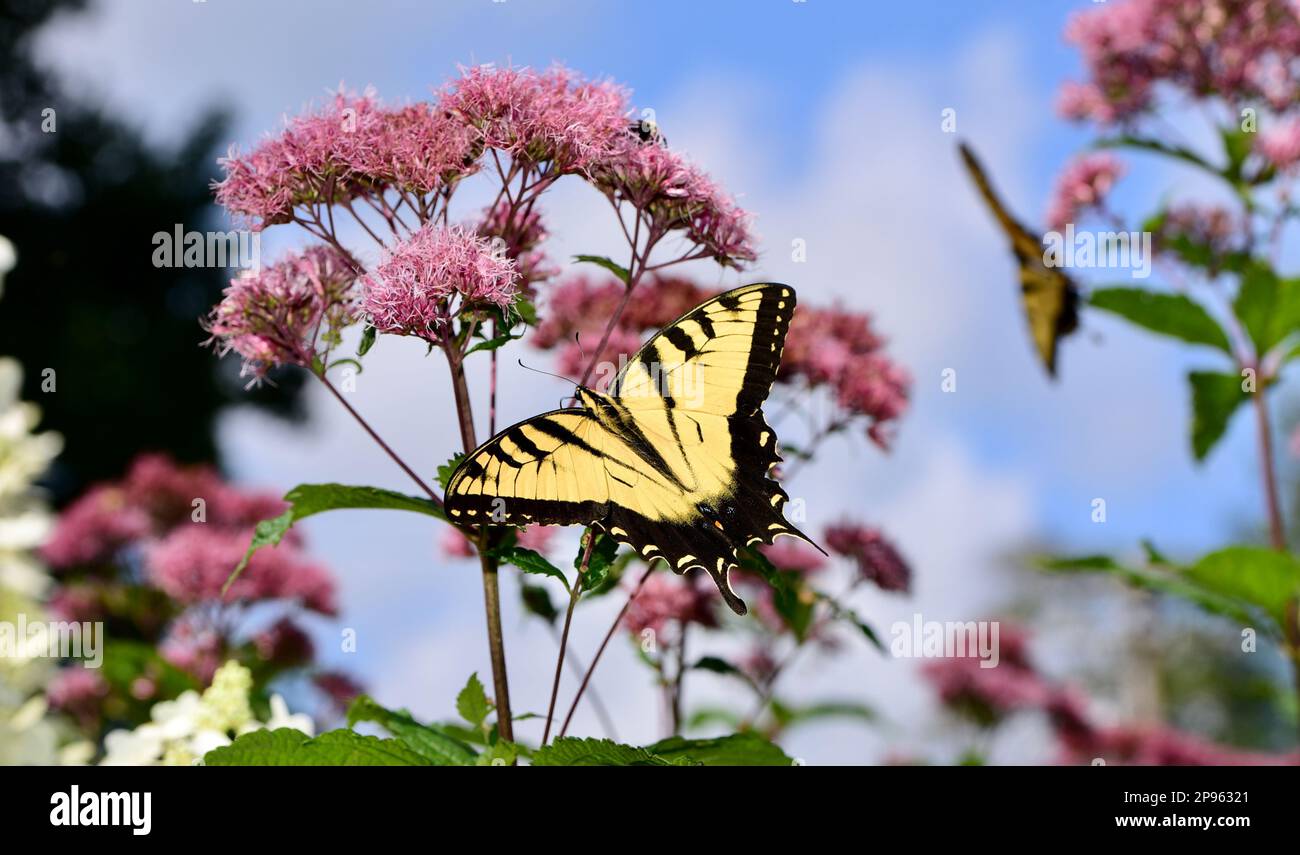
1051,298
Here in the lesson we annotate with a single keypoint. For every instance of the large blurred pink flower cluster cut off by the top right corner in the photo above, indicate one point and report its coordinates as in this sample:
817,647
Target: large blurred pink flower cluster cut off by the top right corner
1241,51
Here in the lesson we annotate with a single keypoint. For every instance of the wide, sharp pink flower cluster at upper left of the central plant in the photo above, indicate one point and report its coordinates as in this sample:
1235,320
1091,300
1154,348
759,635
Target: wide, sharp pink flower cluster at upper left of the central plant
352,146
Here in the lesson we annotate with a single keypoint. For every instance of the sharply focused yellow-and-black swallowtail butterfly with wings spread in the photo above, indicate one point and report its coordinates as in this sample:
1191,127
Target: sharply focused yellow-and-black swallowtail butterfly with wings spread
673,461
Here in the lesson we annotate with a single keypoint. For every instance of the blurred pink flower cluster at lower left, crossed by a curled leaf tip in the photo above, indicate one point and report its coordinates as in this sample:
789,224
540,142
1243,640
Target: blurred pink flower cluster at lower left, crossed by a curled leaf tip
194,562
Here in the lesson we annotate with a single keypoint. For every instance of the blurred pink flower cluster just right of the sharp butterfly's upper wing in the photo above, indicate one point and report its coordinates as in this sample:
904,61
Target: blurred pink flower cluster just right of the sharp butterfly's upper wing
839,350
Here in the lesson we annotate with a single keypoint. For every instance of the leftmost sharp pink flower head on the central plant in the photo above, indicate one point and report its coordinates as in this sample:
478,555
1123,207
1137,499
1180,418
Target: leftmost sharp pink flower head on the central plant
292,314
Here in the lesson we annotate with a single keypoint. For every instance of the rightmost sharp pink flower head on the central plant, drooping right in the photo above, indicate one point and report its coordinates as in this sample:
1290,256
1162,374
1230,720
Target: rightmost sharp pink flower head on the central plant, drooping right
673,196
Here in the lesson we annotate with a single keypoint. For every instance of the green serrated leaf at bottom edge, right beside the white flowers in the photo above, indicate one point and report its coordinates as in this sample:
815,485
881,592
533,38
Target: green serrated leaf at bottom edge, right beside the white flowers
294,748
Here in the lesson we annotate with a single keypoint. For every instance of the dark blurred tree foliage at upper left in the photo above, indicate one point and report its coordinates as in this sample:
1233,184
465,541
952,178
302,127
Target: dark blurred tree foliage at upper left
123,337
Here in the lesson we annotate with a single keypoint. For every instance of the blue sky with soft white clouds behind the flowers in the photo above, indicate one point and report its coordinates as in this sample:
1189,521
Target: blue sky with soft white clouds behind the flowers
825,120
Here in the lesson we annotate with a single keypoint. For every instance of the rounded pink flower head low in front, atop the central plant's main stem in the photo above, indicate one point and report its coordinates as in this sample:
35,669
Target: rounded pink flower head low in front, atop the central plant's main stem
413,292
